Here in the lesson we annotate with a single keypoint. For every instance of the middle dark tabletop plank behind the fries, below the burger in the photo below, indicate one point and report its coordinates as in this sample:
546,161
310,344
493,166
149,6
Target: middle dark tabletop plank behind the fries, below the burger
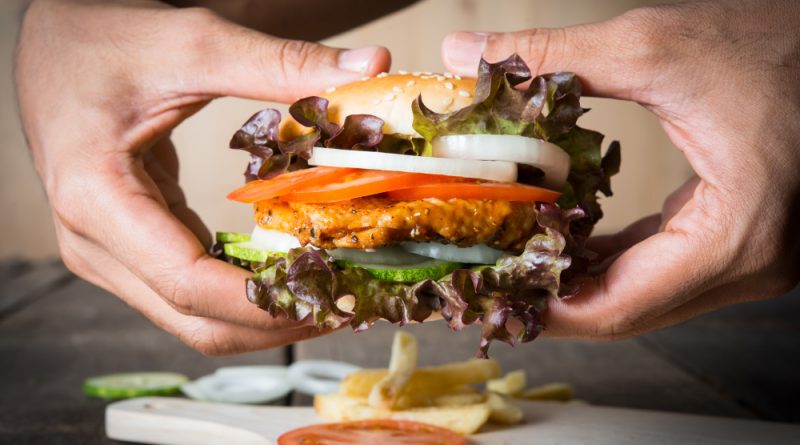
616,374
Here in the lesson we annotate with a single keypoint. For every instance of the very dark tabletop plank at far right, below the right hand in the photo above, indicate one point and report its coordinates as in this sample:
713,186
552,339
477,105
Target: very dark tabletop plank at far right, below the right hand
749,353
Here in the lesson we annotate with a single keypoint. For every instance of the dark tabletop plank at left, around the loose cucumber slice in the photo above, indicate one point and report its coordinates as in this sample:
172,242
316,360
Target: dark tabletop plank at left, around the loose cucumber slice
78,331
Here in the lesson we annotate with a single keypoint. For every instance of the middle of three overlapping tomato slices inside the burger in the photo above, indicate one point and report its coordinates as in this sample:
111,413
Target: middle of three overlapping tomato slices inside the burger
365,183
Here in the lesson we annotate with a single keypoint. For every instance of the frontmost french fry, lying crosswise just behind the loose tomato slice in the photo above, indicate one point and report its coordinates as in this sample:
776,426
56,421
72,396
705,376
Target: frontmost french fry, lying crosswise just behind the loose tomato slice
463,419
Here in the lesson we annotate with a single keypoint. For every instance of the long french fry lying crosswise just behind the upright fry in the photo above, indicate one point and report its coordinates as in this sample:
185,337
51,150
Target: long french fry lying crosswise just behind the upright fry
424,381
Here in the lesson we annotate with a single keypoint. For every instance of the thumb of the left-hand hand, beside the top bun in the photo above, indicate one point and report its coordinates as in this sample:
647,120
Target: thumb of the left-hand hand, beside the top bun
246,63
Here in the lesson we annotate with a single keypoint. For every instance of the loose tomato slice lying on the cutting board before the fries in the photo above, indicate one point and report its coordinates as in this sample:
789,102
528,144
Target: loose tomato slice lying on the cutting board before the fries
371,432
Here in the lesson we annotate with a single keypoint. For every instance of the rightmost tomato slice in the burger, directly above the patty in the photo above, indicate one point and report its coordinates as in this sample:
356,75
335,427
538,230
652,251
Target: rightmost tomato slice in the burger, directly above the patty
473,190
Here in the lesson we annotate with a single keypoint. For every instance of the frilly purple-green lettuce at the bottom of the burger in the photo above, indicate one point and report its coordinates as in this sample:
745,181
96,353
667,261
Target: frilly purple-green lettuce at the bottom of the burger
308,284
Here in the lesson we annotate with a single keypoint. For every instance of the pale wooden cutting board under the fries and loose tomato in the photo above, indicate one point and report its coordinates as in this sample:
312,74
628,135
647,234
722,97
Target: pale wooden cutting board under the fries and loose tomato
172,421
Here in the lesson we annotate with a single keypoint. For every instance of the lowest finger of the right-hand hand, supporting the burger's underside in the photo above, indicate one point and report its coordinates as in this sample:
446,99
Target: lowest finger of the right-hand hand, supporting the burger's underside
648,280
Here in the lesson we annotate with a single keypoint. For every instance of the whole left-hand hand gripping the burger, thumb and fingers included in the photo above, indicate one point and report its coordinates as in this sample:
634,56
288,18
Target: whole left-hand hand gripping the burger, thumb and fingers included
101,85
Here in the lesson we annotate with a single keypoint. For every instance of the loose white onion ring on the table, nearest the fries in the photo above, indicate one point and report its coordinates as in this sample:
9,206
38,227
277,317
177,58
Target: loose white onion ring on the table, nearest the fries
313,377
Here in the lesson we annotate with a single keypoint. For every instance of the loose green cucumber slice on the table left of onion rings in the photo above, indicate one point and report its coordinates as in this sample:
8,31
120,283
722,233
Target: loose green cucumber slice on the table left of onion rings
135,384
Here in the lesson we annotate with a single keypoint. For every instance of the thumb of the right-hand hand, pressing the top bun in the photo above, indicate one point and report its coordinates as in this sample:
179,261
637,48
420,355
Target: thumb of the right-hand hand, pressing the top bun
609,57
